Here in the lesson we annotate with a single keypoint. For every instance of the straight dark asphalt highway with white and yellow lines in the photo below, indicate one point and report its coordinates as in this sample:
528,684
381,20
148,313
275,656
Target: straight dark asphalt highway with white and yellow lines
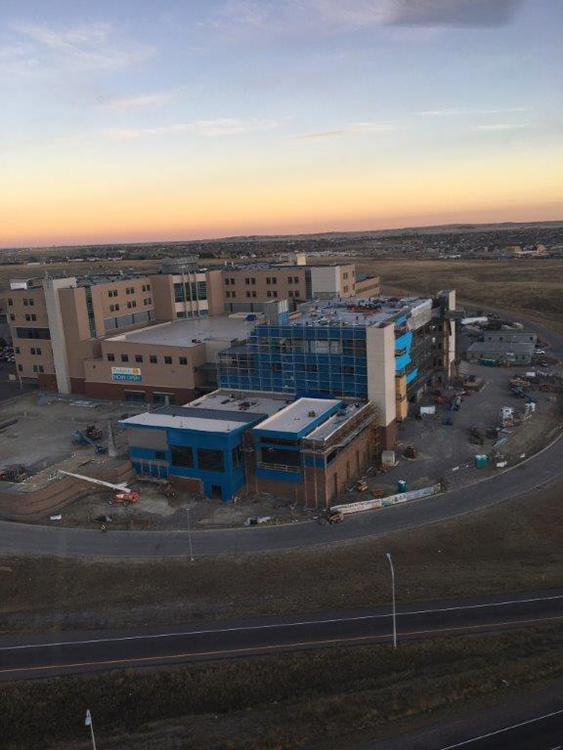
44,656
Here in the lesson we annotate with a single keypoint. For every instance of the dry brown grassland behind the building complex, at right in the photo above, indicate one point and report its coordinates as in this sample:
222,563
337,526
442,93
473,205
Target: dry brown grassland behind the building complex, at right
533,288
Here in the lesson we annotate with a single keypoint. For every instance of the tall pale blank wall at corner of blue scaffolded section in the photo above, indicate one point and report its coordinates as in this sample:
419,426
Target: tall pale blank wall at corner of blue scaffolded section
380,353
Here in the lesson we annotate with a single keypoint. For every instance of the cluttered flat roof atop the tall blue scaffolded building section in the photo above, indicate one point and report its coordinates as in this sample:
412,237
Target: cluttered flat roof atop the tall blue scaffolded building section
359,311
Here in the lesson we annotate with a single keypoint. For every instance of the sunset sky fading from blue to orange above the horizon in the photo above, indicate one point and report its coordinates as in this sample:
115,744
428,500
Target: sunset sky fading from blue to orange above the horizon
139,120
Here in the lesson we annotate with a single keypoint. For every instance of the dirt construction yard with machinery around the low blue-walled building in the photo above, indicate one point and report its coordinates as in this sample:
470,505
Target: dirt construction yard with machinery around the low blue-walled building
67,461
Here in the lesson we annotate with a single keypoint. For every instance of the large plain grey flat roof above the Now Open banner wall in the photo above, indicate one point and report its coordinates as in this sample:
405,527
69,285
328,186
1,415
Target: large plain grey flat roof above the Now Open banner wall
188,333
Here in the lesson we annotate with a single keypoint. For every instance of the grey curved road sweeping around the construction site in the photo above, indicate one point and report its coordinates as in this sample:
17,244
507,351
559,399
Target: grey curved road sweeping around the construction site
531,474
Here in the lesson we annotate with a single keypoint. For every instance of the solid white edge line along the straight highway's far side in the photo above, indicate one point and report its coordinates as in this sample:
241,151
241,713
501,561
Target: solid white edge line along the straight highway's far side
271,626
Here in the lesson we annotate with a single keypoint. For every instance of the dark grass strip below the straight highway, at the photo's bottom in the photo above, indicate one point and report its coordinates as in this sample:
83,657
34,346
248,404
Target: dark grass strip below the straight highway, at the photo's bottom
280,702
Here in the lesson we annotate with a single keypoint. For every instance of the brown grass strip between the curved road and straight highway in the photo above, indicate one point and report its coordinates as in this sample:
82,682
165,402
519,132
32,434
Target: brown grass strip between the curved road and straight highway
513,547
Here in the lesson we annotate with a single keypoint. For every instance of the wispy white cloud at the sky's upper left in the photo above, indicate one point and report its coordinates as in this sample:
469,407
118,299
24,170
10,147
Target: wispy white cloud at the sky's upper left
96,46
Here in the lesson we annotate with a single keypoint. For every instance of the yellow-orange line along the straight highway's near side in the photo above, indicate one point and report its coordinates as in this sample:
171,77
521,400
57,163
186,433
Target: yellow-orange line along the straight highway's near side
253,649
